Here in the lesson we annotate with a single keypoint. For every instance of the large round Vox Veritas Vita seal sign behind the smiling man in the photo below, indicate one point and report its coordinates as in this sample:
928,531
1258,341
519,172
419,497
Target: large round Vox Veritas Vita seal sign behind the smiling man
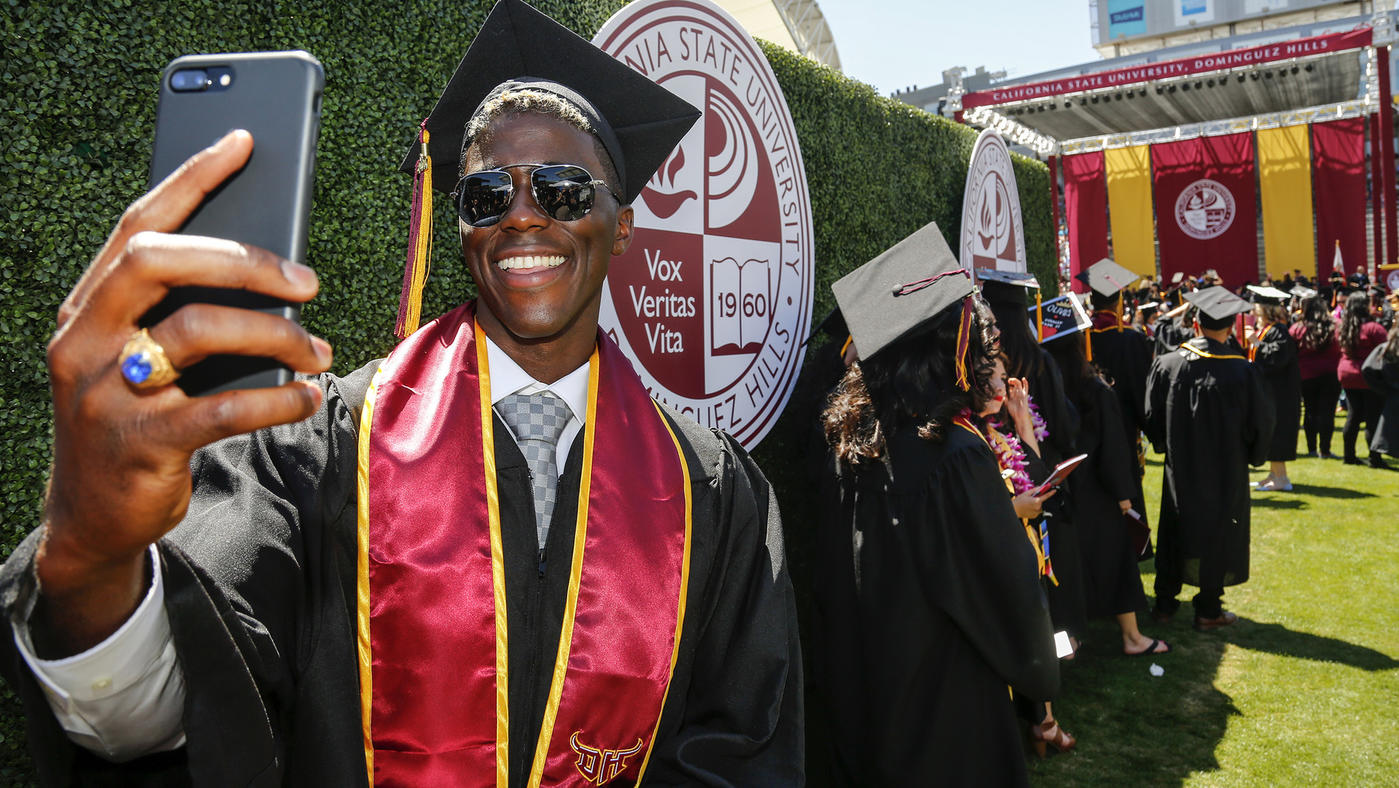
714,299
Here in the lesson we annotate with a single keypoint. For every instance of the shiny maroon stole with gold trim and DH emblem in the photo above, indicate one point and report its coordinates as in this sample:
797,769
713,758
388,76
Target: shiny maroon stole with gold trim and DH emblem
432,597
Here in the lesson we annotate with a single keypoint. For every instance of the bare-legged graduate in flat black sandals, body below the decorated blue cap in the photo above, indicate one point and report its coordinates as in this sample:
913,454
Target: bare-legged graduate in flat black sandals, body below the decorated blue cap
1102,492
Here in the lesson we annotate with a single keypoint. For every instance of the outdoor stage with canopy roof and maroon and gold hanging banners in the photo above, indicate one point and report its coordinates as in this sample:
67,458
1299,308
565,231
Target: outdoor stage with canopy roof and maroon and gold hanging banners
1165,156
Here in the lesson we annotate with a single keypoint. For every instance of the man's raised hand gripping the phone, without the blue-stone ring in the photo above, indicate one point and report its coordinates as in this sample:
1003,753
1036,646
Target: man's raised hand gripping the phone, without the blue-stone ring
121,456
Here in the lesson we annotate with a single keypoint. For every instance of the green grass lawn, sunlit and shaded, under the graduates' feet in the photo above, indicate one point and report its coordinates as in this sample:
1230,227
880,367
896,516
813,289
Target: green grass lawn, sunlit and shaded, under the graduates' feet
1305,691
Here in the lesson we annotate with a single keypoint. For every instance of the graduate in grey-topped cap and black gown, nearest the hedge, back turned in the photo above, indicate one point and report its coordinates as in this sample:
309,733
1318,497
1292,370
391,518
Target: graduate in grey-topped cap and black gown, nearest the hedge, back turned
930,612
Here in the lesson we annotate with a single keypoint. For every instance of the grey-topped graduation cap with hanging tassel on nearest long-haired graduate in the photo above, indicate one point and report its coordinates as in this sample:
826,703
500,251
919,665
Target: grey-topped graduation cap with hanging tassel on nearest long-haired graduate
903,289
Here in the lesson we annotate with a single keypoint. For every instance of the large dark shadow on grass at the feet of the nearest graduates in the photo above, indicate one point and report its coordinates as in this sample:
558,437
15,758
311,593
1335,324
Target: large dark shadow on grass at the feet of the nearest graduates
1135,729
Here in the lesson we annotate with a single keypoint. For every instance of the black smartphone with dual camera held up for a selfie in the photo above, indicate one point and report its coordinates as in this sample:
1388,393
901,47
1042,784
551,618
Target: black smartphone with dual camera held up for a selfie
275,96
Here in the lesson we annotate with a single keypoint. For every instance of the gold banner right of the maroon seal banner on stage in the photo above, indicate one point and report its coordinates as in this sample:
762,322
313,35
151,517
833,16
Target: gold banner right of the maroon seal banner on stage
1285,185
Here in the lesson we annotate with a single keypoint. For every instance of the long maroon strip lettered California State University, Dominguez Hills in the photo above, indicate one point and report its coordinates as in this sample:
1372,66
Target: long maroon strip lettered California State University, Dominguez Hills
1180,68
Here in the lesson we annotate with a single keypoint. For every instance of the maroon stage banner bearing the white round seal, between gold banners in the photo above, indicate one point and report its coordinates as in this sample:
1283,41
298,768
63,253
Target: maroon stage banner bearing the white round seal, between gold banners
1207,213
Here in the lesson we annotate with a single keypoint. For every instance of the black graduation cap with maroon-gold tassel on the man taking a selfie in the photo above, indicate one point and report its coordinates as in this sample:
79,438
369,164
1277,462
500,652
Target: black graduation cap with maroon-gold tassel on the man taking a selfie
518,48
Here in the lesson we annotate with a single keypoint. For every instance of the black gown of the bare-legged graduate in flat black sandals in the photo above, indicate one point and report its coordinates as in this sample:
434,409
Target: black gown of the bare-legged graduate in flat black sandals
1112,579
